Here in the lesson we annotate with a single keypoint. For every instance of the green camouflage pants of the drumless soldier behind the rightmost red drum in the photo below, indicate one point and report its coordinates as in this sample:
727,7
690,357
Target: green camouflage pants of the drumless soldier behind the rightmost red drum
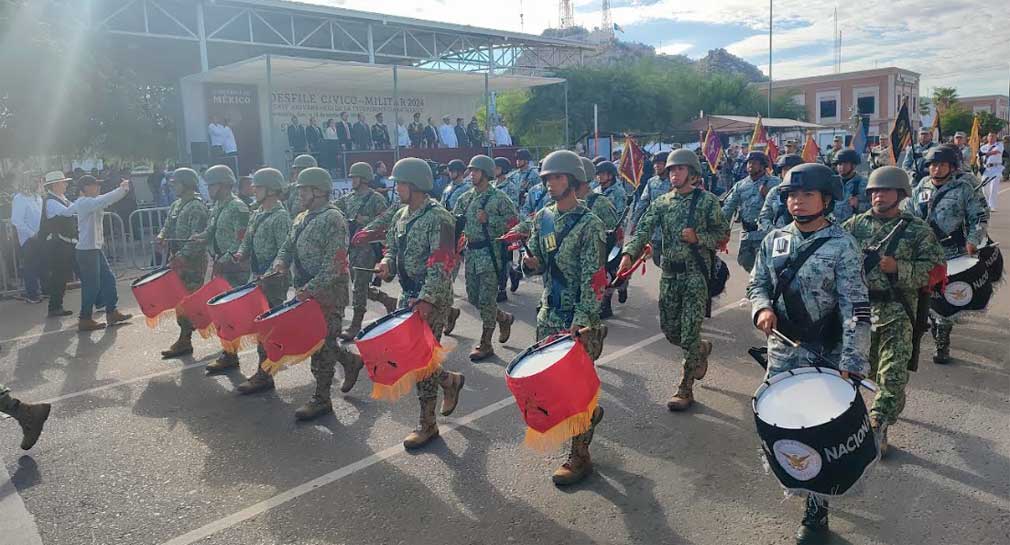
683,298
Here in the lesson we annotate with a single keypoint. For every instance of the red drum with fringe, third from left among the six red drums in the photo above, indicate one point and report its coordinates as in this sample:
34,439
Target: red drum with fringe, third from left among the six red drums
234,314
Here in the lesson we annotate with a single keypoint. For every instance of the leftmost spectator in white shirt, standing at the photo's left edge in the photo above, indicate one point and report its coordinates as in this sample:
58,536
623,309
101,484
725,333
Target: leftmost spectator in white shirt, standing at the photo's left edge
26,212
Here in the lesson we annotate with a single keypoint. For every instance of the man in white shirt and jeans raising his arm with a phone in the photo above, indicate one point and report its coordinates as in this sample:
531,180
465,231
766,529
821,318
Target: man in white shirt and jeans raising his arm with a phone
98,284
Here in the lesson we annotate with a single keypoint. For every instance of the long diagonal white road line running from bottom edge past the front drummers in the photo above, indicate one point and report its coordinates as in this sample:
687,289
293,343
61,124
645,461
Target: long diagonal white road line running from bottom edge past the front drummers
279,500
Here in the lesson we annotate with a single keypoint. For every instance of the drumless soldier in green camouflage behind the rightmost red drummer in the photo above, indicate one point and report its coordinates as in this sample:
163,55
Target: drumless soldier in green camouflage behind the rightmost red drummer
692,226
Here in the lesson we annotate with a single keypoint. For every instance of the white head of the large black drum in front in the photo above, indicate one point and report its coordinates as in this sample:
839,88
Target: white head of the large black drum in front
804,400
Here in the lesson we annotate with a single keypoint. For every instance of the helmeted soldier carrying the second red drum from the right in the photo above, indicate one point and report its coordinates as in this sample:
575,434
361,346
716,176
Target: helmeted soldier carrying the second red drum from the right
422,250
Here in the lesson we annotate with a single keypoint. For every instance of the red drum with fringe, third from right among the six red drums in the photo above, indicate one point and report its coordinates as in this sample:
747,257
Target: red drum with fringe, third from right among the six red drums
290,334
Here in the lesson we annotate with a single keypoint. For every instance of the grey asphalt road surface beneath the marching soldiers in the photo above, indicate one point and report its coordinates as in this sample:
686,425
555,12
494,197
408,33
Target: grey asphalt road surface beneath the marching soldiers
145,452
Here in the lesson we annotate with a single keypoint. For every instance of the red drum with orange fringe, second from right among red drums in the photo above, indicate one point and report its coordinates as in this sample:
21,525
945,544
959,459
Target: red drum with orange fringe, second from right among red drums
398,351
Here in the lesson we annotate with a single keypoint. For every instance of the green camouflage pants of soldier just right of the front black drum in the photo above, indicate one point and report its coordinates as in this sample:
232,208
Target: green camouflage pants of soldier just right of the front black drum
890,351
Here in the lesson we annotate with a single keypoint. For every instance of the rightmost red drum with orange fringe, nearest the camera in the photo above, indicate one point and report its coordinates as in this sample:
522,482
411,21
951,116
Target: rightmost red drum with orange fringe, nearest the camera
556,386
